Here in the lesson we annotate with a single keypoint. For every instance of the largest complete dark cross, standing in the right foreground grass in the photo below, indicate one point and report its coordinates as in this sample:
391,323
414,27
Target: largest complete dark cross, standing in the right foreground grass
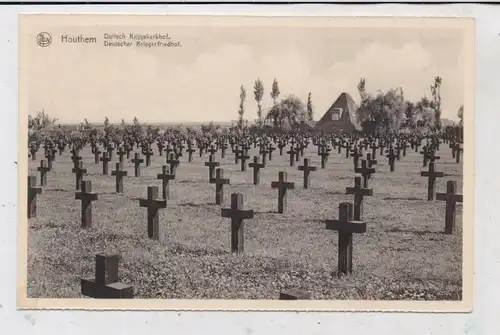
346,226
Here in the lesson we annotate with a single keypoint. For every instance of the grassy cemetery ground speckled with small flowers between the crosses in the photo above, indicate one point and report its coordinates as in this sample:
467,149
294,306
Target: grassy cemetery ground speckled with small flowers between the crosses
403,254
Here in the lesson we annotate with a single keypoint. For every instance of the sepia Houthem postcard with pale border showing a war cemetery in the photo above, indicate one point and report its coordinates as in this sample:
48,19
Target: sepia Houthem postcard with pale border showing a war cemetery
180,162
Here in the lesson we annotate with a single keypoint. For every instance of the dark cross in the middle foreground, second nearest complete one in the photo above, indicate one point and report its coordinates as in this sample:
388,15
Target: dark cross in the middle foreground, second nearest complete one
237,215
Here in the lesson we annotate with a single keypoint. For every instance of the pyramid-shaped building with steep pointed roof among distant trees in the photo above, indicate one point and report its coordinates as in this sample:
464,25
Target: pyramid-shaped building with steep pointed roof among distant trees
340,117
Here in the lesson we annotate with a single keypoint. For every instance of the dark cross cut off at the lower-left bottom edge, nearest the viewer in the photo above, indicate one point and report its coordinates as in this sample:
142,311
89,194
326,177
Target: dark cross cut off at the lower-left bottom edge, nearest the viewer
106,284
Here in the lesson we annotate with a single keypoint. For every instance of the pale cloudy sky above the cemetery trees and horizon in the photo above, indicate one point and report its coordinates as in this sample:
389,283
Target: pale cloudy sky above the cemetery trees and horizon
201,80
